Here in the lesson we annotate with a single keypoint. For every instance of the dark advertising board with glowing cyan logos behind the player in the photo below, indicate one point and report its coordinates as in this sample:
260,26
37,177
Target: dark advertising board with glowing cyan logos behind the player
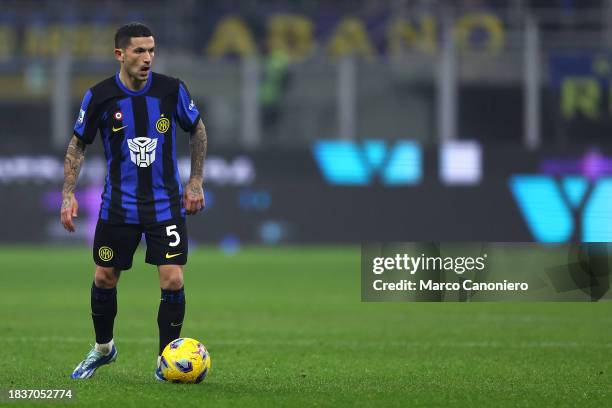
347,192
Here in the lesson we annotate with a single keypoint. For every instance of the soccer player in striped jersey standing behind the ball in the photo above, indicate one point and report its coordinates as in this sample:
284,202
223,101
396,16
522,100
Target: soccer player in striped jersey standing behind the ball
136,112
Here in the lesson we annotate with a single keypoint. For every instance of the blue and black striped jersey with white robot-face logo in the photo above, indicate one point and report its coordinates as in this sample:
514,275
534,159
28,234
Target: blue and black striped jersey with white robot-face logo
138,131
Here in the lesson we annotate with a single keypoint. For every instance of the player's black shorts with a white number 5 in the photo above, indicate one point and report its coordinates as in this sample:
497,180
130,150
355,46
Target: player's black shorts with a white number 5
115,244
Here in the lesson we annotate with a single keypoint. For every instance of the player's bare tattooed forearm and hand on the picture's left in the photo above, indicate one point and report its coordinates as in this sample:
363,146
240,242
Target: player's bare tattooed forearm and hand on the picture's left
72,167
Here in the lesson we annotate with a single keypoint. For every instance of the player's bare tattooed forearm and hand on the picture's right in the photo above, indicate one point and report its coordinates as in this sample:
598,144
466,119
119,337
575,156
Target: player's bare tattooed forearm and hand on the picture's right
193,199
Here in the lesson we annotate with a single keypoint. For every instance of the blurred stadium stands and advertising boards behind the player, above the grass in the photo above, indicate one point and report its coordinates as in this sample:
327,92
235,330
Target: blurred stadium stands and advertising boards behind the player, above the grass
335,122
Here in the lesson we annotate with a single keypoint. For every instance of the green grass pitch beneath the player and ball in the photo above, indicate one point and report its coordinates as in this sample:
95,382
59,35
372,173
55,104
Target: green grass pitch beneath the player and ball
285,327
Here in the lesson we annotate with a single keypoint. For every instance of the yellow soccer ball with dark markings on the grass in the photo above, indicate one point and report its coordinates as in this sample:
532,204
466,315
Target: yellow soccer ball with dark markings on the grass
185,360
